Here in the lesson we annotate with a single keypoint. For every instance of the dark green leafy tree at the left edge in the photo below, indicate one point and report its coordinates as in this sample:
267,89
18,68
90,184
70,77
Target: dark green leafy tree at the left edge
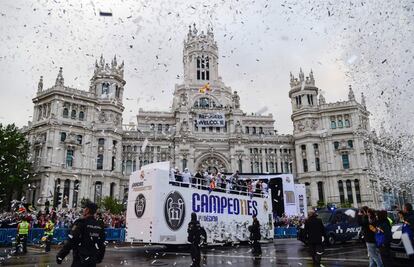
15,168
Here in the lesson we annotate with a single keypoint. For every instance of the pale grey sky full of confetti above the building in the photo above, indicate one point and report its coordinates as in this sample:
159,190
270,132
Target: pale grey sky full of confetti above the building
259,43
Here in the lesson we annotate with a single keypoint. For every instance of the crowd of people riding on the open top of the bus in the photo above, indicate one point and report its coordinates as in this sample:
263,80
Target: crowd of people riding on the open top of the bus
232,184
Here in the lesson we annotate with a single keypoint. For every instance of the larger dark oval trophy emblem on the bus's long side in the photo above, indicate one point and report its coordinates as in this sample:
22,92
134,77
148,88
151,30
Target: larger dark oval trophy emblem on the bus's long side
174,210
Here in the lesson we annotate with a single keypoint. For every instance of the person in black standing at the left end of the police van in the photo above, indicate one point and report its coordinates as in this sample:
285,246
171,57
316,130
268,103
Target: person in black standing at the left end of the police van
315,233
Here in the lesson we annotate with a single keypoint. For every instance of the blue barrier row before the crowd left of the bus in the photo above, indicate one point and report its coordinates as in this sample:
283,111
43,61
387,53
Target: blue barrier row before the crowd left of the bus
8,235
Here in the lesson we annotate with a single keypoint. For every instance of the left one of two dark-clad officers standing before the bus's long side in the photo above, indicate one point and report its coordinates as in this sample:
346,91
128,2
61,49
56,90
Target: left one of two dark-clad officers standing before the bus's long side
194,237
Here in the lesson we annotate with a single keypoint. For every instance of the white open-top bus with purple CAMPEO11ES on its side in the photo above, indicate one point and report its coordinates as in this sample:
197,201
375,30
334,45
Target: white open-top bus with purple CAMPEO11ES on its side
159,210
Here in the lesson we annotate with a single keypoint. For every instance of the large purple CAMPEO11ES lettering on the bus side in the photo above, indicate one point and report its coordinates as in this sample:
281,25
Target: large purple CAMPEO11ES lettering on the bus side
203,203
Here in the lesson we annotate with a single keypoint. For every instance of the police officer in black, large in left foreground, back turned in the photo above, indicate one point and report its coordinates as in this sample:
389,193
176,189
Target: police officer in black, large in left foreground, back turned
86,239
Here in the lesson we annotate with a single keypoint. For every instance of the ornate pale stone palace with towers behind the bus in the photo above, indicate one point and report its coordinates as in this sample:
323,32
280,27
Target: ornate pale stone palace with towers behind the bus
81,150
